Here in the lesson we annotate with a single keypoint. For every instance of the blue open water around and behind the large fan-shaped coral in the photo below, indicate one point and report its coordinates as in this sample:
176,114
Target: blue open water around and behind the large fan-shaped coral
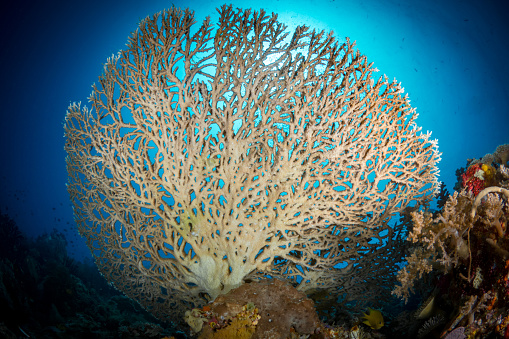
450,57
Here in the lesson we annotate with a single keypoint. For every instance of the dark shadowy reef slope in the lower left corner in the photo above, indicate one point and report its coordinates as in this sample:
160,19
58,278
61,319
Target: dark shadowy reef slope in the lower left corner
46,294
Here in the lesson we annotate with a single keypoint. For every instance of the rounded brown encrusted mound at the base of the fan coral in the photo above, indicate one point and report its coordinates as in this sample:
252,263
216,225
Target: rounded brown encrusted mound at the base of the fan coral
272,308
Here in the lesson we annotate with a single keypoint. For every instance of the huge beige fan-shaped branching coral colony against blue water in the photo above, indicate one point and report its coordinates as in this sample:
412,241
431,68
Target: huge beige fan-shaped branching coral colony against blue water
212,155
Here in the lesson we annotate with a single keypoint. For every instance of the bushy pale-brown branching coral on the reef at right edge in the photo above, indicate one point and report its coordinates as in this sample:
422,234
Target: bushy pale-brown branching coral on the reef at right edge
445,241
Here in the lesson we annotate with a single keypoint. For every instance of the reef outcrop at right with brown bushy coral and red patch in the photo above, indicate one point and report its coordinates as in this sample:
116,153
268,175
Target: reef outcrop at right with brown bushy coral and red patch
466,246
